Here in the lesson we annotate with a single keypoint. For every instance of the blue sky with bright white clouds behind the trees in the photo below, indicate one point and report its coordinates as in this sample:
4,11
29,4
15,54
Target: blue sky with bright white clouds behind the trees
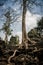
31,19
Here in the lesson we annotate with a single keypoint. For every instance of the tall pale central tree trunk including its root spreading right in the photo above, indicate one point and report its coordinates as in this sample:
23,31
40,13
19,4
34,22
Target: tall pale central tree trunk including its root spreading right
25,39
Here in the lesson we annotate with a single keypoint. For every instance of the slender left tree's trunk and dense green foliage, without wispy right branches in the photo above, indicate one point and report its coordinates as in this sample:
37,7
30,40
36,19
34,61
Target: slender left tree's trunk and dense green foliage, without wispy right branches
6,26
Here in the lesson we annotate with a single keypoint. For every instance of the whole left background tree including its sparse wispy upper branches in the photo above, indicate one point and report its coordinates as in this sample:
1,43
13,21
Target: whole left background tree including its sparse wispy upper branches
11,17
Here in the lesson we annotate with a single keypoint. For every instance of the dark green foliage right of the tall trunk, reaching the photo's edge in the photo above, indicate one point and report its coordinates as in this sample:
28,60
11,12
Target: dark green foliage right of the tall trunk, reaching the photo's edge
36,32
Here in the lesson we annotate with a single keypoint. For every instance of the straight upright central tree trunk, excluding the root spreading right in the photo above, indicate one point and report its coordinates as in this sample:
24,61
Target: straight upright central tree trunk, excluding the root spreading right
24,36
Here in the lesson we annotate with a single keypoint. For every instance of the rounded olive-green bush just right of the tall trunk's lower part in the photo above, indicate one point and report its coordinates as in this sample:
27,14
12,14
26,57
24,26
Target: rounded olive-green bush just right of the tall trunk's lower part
34,35
